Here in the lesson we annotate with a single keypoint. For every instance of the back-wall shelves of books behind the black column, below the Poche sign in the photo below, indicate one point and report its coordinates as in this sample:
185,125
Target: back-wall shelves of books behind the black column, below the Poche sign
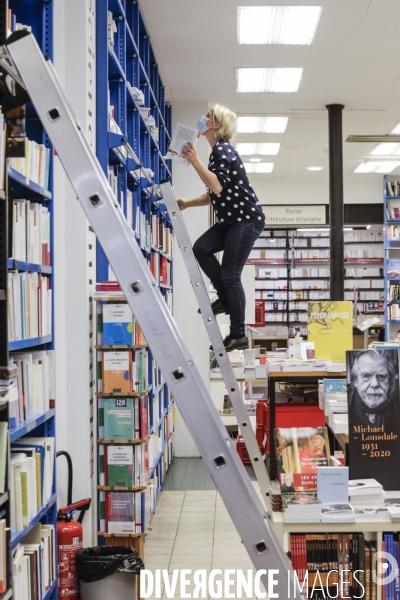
292,267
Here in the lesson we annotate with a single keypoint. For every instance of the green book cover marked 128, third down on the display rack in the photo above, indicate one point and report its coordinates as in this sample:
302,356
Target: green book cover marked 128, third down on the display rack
118,419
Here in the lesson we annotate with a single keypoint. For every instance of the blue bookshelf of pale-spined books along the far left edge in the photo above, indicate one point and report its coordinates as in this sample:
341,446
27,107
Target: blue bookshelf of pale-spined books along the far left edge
27,342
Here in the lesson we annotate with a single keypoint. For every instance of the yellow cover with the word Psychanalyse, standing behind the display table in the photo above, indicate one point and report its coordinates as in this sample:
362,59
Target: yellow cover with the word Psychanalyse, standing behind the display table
330,327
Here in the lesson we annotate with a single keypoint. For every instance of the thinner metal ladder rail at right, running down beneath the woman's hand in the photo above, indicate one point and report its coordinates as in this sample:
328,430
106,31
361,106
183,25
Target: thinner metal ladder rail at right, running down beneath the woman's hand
214,333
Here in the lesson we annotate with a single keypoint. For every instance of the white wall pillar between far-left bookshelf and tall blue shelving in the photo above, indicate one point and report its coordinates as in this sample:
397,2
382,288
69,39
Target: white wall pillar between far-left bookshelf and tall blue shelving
74,264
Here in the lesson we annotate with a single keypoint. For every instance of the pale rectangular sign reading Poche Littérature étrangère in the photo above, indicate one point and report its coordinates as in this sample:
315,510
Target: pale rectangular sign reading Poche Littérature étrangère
313,214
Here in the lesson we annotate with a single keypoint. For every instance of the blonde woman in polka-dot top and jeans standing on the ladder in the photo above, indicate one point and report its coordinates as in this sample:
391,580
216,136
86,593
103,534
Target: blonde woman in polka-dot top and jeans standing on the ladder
240,219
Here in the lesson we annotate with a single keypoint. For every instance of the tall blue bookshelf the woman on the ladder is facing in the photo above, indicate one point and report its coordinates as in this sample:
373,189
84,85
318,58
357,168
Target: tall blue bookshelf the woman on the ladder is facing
132,134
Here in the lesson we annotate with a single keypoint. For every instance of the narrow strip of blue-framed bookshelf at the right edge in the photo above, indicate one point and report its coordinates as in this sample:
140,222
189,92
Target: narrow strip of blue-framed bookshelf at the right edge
391,199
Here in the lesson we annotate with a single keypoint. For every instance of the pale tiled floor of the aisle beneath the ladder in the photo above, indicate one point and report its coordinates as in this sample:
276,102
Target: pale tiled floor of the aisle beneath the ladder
191,529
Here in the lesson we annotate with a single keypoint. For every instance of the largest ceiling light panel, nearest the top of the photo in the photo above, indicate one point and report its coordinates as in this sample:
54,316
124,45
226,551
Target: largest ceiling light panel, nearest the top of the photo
277,24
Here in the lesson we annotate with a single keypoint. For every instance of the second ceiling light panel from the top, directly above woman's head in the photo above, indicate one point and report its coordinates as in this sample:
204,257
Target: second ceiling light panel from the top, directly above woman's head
268,80
